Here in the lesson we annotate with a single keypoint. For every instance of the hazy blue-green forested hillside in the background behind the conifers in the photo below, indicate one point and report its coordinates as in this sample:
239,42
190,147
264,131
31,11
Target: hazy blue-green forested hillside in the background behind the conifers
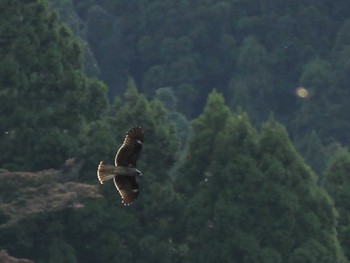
256,53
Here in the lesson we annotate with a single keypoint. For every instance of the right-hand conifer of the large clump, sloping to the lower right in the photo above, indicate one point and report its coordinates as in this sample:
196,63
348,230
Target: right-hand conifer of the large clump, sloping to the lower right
300,224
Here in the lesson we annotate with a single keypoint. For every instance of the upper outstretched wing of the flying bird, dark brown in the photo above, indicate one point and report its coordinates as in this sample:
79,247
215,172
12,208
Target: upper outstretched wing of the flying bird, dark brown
128,153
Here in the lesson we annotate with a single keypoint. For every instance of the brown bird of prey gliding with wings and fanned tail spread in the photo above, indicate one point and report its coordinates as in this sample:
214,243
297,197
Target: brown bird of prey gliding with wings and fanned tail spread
124,172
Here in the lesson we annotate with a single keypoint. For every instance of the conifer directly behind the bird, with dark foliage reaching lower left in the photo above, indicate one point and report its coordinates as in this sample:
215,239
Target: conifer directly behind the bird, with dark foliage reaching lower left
148,230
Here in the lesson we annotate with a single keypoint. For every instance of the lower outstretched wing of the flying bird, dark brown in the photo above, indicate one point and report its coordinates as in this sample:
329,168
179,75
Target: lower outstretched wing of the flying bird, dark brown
127,188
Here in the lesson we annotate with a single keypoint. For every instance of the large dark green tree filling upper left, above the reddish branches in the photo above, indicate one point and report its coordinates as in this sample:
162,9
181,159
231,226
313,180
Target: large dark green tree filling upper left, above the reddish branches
44,95
